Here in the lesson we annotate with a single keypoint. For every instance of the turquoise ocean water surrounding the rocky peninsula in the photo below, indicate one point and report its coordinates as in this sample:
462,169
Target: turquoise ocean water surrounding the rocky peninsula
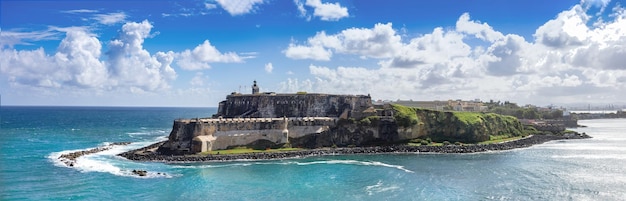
32,139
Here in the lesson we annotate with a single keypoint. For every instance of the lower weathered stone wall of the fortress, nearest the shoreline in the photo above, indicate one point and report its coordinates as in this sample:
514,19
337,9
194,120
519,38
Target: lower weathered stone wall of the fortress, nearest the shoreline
230,132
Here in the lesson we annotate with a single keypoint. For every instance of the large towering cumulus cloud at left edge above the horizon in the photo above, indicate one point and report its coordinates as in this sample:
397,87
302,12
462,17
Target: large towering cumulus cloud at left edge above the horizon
77,63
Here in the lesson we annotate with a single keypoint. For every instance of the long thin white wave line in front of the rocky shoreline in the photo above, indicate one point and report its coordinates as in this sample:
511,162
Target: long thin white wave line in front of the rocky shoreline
343,162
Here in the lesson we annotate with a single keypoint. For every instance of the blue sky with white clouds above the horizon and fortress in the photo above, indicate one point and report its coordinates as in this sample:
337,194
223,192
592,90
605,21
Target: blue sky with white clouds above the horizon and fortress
194,53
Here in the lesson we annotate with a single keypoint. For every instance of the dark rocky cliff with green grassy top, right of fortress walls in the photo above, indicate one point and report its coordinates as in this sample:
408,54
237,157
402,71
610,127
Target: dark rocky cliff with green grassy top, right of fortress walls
411,123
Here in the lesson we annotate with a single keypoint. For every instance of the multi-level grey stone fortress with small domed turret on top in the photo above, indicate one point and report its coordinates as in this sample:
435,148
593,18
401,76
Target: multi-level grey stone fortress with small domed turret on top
265,120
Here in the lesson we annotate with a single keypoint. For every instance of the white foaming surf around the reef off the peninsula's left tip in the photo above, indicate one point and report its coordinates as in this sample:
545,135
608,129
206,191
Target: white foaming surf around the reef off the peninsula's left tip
107,161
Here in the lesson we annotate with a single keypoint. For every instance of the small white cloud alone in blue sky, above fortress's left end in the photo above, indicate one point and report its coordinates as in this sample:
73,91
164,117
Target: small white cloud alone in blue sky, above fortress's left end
203,54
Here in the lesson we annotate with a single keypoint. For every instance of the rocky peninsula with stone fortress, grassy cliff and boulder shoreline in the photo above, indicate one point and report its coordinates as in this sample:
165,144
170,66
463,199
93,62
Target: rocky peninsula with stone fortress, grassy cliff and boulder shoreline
327,124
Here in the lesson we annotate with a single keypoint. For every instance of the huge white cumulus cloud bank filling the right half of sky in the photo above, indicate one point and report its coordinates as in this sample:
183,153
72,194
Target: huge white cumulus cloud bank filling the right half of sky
573,57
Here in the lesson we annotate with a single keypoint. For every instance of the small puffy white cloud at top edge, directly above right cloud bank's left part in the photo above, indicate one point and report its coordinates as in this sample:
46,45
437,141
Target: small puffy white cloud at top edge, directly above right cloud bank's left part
325,11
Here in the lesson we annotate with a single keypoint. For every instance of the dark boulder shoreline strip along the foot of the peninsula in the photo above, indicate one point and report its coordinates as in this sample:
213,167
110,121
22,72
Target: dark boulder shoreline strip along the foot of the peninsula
149,153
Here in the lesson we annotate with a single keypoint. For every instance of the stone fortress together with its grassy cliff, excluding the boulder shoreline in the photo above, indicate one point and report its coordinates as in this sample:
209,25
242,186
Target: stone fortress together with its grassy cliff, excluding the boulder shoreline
269,120
